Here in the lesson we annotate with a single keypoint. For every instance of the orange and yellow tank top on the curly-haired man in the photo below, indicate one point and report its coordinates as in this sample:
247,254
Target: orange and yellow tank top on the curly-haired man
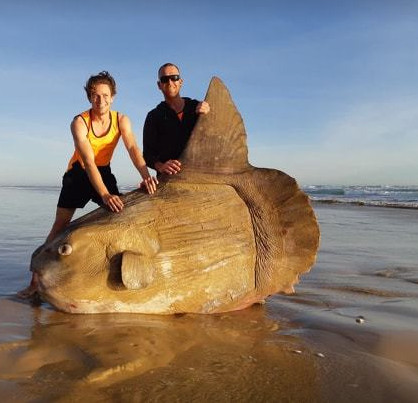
102,146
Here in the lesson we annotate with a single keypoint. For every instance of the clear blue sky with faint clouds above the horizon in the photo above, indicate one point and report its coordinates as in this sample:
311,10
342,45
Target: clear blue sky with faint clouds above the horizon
327,89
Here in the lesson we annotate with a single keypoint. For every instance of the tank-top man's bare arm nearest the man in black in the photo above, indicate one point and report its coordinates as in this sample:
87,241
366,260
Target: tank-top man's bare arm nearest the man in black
135,154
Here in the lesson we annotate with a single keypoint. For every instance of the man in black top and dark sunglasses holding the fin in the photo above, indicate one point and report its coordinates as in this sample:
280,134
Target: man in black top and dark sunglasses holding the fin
168,127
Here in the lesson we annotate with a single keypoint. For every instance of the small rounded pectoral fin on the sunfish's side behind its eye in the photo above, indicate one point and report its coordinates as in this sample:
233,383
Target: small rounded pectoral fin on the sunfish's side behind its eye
137,270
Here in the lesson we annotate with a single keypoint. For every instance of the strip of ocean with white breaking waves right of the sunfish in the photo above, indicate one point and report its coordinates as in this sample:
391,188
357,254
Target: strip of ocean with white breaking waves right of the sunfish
379,195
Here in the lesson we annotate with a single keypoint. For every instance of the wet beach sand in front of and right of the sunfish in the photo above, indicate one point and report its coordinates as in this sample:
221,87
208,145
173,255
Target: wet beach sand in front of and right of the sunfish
348,334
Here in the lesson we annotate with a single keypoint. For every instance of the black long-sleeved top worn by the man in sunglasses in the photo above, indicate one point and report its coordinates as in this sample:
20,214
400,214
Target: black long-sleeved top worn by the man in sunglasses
165,136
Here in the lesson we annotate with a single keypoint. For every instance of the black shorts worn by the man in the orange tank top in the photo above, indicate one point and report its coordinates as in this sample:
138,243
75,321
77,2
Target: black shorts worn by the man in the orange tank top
77,190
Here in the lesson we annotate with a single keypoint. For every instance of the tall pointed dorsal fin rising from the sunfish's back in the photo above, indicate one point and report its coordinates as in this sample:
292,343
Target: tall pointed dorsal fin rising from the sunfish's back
218,143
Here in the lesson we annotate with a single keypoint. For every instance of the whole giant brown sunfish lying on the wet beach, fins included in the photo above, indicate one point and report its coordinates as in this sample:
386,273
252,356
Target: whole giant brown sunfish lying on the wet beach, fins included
218,236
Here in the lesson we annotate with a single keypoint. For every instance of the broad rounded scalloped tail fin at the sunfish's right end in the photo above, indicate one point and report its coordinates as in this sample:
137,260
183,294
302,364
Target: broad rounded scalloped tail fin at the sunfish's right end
286,230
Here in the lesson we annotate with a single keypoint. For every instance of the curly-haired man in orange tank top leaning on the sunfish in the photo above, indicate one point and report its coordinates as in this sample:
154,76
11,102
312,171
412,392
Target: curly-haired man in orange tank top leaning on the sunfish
96,133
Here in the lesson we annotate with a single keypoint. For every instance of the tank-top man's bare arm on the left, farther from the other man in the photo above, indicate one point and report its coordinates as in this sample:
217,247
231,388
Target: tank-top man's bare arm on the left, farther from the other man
83,146
